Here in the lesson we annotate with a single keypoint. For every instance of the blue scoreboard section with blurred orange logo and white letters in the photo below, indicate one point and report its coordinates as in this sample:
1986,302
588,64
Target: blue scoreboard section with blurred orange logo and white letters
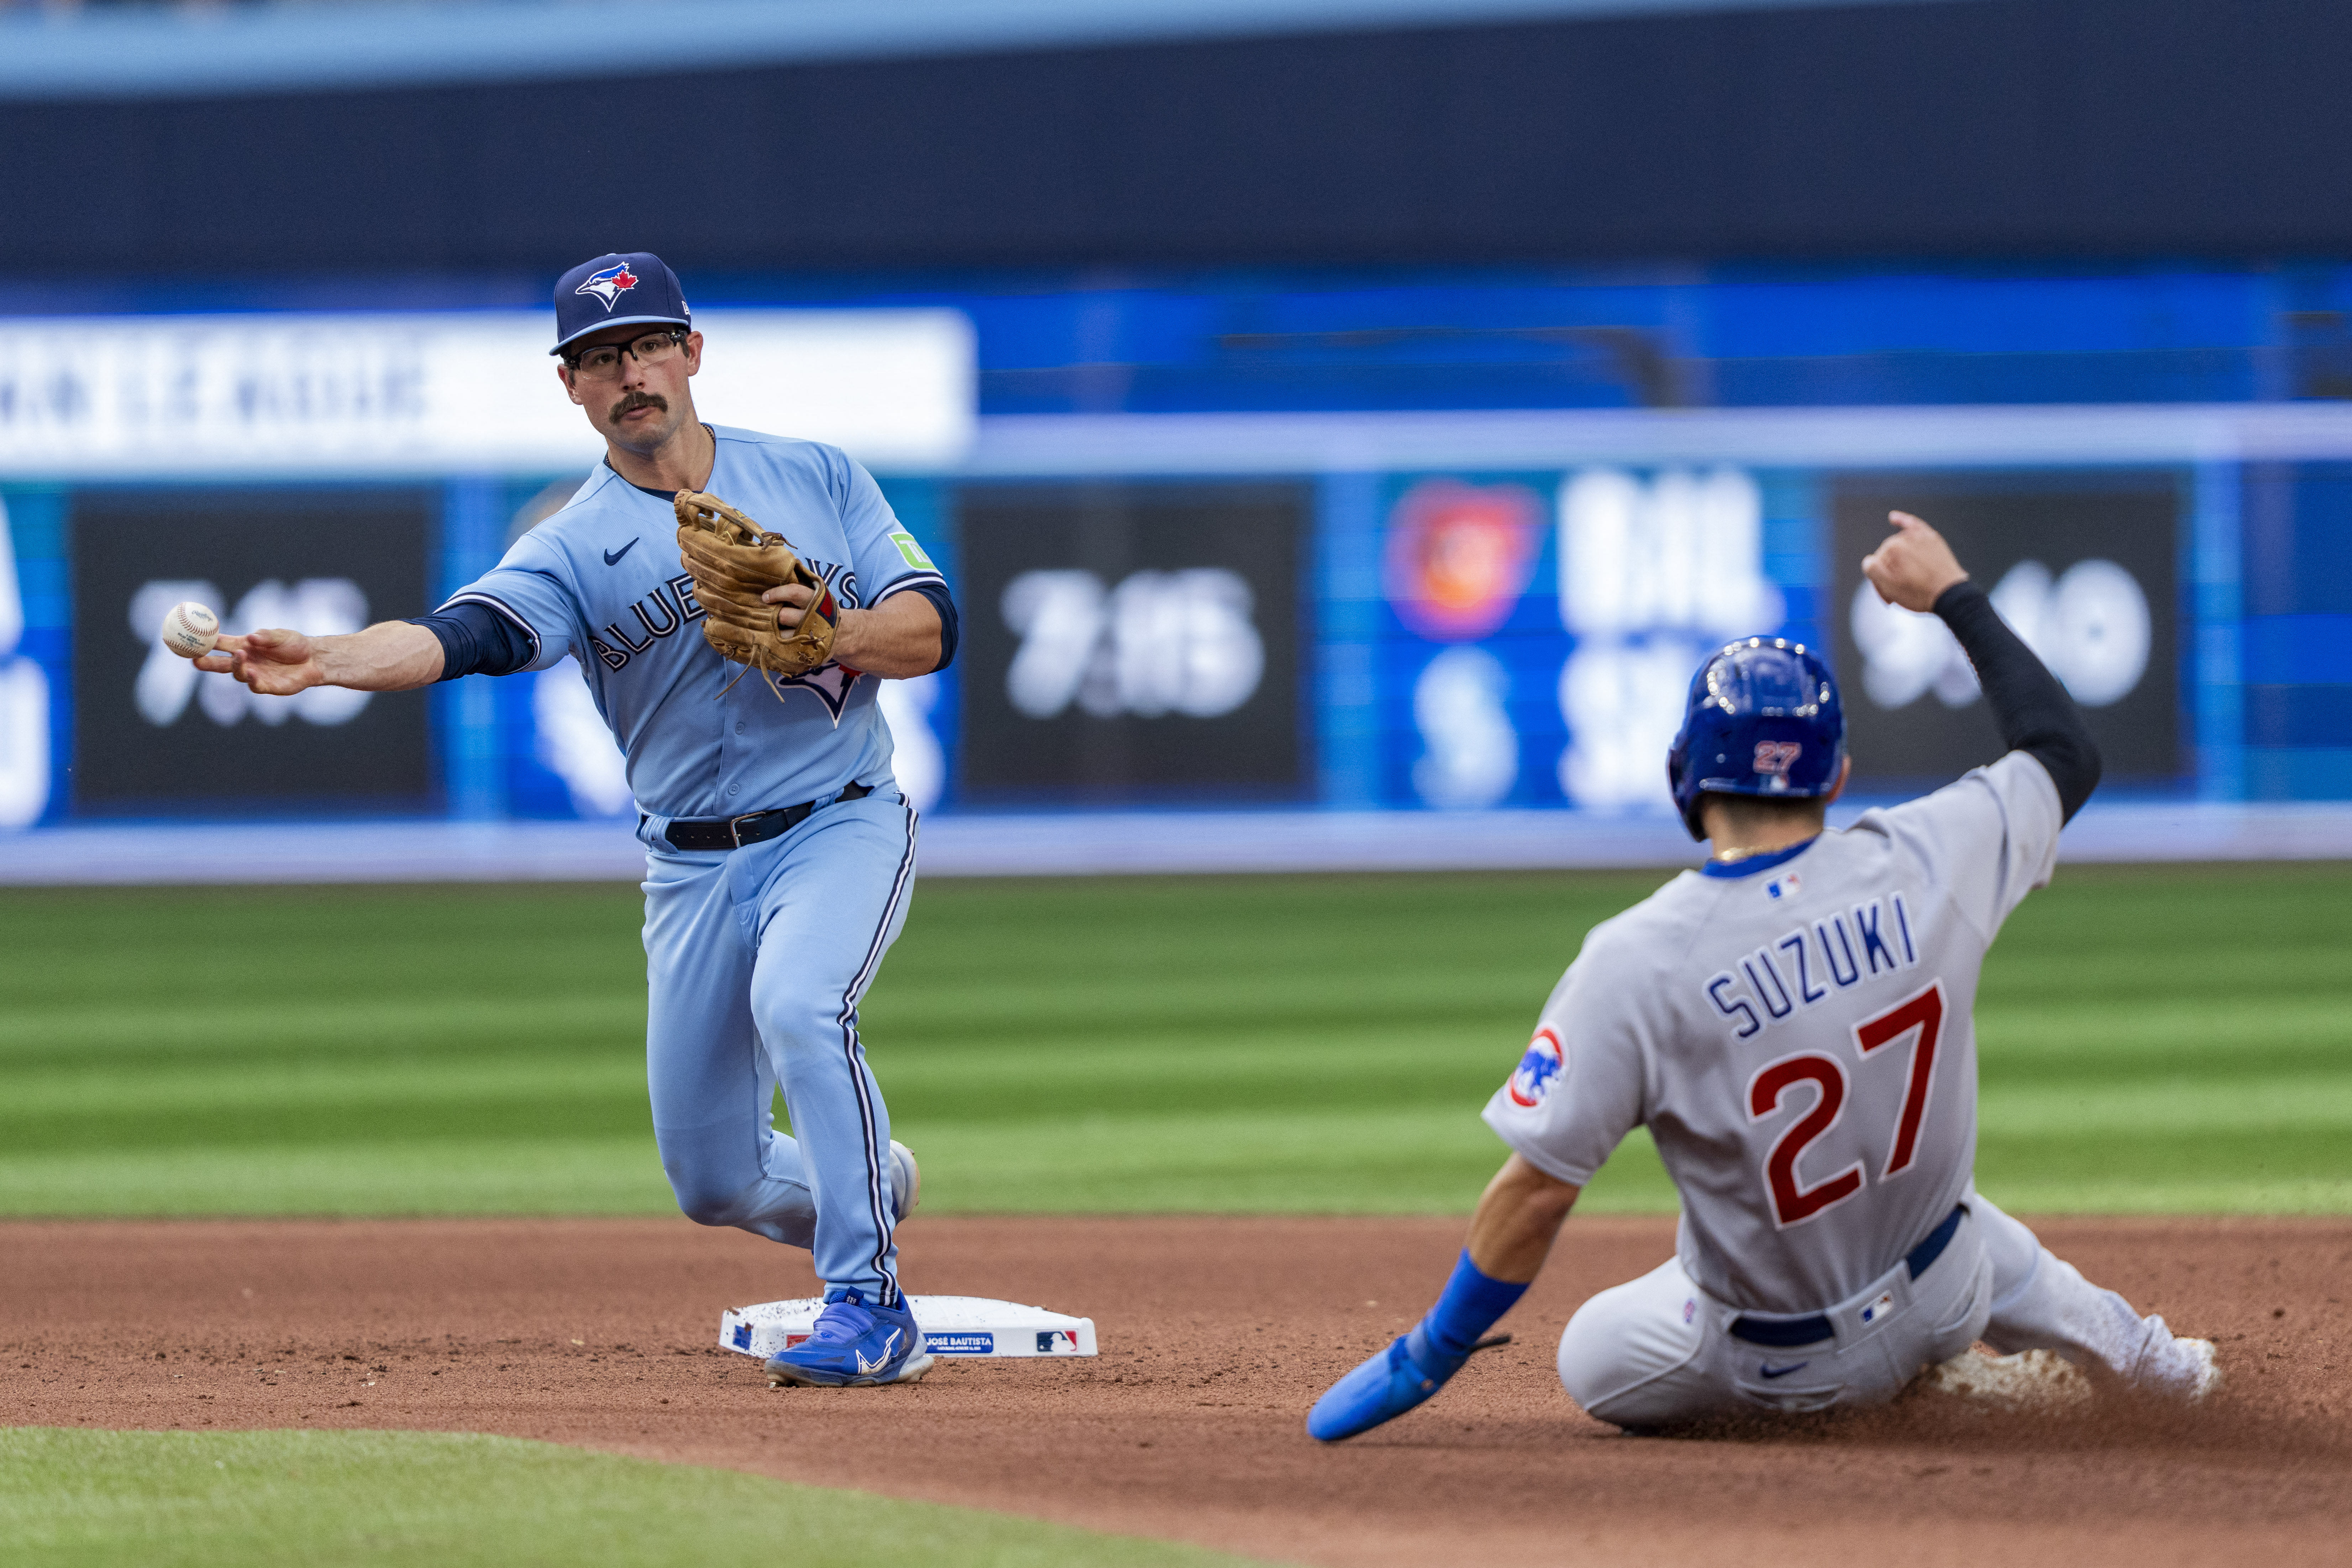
1542,629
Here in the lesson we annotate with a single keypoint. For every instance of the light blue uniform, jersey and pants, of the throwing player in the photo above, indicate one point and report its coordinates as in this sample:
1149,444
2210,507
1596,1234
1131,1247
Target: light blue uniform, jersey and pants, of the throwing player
761,956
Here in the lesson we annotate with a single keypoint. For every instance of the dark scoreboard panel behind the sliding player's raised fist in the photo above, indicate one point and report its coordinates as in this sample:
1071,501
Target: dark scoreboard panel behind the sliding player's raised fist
2085,568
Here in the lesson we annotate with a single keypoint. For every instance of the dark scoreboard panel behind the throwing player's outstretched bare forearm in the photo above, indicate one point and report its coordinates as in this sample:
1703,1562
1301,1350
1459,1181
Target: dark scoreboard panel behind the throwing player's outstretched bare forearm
154,735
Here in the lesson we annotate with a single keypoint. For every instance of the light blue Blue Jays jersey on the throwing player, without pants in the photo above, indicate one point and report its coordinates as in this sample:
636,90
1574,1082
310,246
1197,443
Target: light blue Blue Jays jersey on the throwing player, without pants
601,582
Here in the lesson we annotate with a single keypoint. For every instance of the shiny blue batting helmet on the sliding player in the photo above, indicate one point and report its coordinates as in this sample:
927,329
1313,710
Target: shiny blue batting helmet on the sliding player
1763,721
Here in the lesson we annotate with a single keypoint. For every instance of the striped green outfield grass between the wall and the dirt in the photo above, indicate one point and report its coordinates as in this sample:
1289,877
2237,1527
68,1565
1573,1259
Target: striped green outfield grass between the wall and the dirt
2153,1040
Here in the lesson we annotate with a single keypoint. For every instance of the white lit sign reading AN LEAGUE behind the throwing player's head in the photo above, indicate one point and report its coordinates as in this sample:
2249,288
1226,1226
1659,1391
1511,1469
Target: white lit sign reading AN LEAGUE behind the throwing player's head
436,394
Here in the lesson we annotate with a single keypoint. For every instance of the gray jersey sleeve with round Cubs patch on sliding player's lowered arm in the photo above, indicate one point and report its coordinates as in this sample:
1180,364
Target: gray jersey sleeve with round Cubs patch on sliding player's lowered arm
1582,1083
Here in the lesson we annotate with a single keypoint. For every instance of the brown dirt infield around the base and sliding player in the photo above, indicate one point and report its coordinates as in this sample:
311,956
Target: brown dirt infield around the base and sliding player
1217,1336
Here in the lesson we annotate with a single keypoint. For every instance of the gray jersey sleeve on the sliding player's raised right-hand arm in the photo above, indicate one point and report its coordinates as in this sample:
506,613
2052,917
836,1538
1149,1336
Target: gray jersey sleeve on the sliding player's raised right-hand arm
1991,838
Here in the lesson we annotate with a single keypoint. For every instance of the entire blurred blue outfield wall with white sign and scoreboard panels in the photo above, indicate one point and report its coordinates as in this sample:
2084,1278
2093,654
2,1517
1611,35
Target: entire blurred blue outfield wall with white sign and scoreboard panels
1236,577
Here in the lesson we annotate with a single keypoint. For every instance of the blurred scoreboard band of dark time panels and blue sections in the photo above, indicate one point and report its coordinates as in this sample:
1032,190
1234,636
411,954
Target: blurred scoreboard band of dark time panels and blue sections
1401,641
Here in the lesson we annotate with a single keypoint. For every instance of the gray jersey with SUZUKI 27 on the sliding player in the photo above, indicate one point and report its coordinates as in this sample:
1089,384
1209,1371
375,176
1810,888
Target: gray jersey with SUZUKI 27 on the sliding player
1796,1031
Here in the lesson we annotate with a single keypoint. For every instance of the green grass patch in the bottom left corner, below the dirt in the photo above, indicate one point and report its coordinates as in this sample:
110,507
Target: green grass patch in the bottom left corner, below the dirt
446,1501
